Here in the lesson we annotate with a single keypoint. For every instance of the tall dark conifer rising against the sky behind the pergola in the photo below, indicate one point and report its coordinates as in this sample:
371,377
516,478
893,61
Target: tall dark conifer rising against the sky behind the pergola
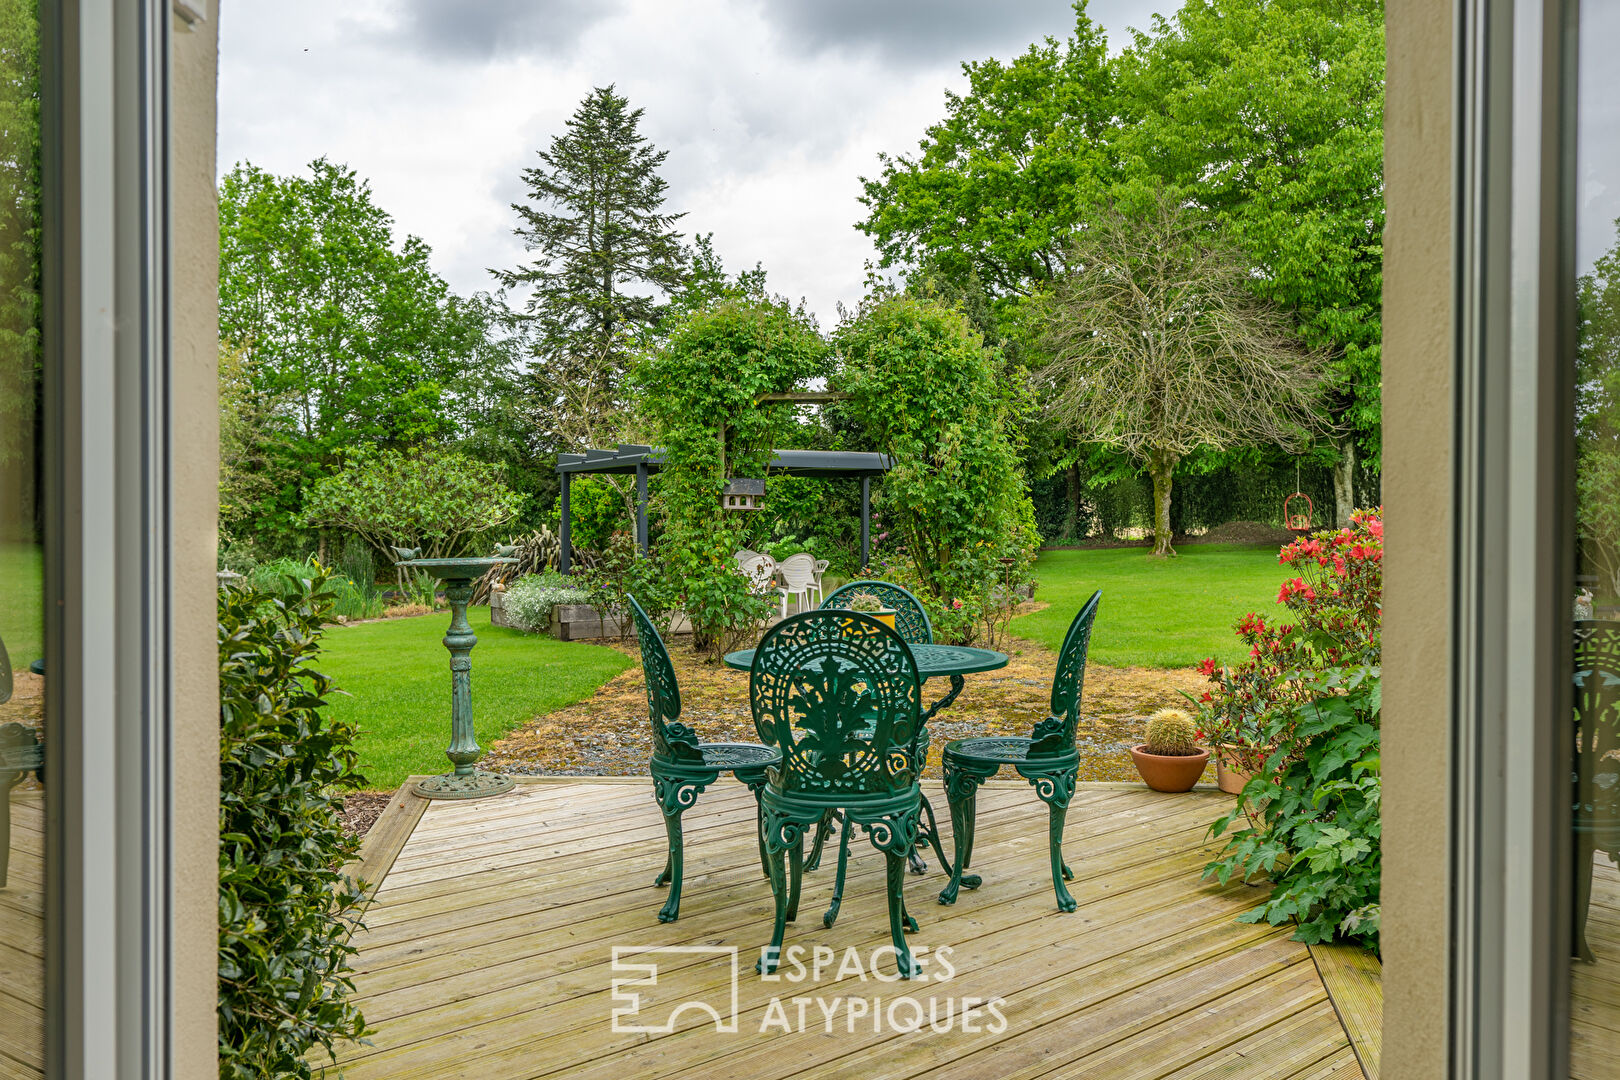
607,258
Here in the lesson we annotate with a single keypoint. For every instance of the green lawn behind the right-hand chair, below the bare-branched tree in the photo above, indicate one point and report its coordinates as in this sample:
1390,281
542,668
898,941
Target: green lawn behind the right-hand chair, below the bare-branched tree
1156,613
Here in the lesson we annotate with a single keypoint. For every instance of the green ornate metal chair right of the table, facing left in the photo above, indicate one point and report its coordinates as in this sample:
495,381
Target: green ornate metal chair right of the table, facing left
1047,760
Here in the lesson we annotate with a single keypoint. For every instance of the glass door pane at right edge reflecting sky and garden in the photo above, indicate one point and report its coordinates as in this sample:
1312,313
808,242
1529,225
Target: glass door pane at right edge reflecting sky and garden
1595,1032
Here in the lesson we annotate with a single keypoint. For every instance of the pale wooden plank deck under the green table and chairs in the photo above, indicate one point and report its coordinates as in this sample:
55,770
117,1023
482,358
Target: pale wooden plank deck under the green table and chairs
490,951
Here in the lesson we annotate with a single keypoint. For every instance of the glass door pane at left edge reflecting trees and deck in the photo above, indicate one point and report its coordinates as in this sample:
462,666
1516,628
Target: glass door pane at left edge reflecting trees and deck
22,639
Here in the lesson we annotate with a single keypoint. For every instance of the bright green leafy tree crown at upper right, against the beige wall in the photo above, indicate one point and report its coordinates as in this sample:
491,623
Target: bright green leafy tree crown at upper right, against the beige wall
1269,114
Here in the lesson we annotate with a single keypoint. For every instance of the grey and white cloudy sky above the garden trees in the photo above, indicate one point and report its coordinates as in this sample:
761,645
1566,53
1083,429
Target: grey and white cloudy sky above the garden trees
770,109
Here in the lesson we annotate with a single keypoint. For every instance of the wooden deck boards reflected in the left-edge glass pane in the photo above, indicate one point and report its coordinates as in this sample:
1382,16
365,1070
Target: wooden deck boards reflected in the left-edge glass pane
23,943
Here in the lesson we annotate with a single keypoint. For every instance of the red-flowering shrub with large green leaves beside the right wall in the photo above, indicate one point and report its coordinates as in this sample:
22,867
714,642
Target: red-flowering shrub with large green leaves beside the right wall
1303,715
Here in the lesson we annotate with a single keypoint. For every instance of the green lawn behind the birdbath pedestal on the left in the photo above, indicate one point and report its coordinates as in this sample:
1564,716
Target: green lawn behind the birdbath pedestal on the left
398,682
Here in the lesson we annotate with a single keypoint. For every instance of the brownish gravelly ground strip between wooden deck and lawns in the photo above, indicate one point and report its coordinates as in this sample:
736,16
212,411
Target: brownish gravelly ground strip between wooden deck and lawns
610,736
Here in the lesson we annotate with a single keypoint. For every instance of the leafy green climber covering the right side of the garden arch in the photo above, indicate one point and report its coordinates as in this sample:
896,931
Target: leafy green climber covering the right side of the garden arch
934,399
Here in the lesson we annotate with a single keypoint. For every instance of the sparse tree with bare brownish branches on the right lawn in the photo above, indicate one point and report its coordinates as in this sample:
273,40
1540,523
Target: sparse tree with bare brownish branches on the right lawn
1159,346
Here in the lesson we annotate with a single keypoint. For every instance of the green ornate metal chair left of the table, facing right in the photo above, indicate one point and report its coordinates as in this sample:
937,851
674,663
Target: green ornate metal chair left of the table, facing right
683,765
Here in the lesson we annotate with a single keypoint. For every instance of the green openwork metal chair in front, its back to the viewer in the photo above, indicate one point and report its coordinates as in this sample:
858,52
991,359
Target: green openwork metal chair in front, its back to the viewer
838,694
